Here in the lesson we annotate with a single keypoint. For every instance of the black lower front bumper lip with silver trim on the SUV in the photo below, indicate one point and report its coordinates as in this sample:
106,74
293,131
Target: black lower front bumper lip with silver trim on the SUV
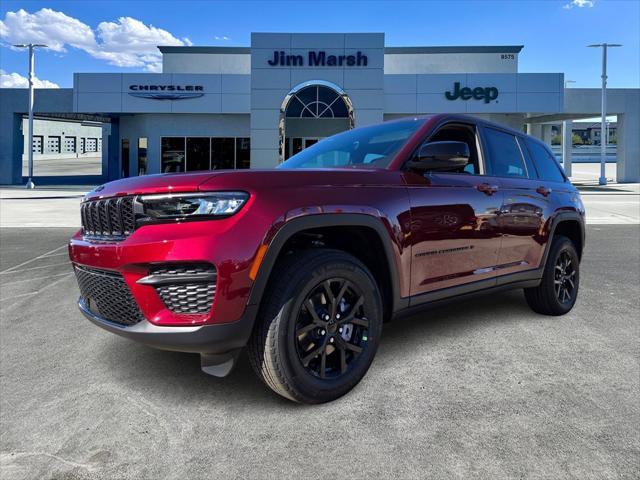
203,339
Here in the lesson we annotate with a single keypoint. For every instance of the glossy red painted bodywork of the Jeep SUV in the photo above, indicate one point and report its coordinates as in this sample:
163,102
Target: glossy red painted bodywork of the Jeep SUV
445,229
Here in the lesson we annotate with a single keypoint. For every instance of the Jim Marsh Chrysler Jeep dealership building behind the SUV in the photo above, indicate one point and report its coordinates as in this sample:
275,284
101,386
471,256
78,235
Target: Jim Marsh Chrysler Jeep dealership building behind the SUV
253,107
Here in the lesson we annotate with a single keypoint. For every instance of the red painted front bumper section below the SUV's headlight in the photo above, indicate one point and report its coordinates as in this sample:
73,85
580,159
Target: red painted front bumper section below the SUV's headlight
227,245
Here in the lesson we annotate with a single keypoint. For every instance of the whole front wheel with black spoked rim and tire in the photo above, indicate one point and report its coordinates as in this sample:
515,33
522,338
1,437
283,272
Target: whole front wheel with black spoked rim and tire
300,358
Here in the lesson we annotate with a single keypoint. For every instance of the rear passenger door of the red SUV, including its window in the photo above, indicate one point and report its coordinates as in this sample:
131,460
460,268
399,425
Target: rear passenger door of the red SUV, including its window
523,211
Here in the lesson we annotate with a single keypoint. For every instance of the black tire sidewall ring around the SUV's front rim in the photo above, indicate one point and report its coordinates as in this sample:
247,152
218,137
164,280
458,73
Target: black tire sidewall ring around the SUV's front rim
308,385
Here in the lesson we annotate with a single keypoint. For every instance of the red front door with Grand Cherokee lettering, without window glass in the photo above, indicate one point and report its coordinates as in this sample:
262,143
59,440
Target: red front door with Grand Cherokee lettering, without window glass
453,236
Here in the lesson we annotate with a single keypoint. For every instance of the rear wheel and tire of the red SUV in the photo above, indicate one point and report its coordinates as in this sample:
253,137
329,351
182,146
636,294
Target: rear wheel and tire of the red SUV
558,290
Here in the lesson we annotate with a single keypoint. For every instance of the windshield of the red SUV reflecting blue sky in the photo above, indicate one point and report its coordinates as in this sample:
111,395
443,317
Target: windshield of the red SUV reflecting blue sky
368,147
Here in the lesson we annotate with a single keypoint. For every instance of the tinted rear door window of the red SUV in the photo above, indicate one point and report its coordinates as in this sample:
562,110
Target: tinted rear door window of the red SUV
505,159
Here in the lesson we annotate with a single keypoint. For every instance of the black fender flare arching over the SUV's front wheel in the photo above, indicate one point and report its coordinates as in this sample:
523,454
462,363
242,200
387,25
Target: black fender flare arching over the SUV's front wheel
306,222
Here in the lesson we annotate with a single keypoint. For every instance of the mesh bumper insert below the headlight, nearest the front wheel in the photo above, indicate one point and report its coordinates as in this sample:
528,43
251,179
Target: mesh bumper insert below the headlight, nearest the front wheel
186,297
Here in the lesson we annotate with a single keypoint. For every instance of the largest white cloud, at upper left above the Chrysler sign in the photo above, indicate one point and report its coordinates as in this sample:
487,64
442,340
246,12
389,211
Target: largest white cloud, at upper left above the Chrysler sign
127,42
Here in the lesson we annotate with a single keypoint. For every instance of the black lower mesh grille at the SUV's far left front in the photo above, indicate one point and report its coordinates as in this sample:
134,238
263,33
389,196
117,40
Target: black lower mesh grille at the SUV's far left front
107,295
